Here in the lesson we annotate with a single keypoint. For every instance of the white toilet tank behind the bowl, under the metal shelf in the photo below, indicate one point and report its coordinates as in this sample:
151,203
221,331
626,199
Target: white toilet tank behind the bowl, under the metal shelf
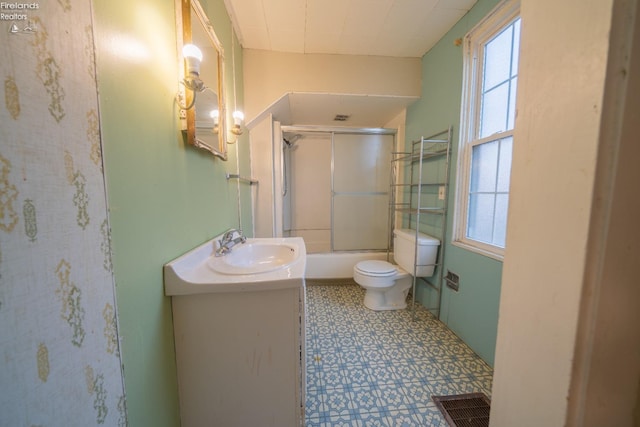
404,245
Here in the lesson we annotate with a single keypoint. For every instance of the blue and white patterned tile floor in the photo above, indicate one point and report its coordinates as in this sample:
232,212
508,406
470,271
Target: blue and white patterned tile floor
368,368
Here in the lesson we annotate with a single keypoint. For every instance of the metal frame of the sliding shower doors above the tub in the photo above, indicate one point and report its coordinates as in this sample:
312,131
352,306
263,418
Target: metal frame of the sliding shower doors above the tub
333,131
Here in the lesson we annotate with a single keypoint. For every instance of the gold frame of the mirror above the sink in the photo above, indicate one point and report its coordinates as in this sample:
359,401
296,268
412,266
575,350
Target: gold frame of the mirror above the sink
186,9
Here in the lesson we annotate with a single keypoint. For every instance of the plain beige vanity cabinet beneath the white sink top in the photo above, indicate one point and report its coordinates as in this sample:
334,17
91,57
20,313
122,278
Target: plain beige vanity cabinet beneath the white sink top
240,357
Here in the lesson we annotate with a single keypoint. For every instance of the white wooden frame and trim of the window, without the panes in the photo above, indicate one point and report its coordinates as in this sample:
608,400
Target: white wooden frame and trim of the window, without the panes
503,15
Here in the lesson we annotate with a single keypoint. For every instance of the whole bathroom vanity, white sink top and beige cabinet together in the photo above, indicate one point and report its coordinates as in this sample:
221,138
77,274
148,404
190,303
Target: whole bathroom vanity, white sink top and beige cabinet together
239,334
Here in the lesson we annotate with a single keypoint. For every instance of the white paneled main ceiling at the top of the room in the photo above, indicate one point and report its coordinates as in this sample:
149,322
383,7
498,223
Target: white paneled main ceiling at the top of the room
399,28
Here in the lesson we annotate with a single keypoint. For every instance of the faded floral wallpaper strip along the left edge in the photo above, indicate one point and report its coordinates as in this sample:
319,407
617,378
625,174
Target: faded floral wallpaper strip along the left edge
59,349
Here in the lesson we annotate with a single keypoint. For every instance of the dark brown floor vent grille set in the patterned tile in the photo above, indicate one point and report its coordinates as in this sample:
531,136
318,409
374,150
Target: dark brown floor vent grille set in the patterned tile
465,410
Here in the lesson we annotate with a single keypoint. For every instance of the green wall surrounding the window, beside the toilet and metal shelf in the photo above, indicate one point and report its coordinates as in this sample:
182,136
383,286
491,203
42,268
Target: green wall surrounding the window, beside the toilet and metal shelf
472,313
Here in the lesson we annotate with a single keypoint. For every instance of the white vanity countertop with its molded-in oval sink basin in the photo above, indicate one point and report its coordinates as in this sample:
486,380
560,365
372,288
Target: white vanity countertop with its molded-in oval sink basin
258,264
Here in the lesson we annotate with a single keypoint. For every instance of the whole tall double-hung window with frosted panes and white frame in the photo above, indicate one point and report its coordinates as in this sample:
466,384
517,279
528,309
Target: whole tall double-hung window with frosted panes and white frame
486,131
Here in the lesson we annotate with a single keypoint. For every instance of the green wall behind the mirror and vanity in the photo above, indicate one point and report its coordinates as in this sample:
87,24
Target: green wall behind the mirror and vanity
164,197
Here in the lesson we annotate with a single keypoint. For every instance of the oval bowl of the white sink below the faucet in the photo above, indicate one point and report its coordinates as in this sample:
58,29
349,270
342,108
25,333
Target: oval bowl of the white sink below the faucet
254,258
